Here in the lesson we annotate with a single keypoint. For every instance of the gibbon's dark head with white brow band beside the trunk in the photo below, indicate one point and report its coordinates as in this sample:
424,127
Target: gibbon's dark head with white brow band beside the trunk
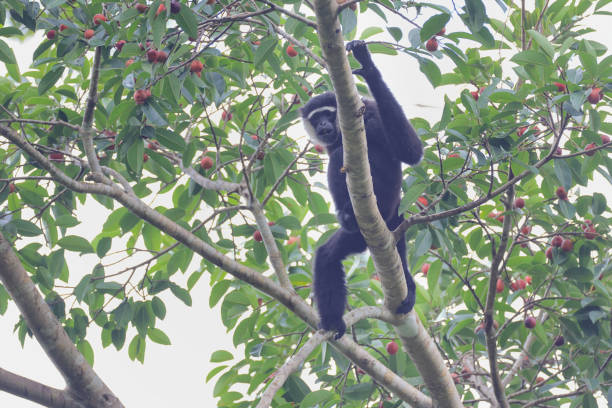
319,119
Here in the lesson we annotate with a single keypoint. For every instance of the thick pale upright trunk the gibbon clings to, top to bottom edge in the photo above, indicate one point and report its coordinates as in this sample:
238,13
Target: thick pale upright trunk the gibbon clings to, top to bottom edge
380,240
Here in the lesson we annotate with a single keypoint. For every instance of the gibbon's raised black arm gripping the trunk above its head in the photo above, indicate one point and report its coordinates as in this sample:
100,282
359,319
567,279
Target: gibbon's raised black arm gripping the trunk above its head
400,134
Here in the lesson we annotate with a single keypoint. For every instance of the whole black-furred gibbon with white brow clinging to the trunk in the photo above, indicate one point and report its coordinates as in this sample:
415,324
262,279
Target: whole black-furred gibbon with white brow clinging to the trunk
391,140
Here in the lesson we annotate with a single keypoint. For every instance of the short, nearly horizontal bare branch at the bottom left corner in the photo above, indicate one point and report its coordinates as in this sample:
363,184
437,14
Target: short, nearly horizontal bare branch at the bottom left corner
36,392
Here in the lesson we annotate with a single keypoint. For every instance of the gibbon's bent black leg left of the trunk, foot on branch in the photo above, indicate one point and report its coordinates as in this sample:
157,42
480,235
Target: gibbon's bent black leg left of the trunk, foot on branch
329,282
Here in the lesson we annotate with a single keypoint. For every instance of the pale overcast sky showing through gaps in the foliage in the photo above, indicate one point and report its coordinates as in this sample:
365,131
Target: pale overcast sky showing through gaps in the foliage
176,374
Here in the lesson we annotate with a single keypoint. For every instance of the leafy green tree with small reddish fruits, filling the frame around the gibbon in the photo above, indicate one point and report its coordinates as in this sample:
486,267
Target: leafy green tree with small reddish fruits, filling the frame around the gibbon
176,117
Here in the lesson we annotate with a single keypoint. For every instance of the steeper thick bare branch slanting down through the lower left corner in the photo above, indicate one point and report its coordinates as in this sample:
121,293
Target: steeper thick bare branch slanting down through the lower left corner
50,334
